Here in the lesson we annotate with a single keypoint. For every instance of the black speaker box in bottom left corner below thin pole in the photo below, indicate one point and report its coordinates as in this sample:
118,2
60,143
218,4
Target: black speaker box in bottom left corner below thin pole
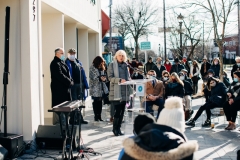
13,143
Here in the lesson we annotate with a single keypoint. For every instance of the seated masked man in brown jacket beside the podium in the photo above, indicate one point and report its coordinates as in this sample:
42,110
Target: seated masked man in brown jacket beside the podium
154,93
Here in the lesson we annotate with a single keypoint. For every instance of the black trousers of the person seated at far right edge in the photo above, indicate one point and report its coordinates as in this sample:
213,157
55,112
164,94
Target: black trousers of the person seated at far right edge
231,111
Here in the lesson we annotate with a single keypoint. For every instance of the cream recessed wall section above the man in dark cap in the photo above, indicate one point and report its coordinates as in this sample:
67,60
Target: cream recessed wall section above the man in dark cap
70,36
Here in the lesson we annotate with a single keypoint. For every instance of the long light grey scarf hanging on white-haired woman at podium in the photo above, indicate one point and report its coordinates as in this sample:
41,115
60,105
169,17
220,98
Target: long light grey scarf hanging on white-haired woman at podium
117,88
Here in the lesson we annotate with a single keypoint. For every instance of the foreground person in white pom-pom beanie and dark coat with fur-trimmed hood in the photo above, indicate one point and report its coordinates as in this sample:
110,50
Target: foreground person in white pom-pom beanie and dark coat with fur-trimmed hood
162,141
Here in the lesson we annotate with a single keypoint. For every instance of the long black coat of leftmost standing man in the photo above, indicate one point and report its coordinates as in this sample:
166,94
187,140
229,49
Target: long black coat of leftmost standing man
60,82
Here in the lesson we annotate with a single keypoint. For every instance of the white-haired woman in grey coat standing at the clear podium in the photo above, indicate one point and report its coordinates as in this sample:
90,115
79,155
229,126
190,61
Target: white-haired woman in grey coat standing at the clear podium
119,94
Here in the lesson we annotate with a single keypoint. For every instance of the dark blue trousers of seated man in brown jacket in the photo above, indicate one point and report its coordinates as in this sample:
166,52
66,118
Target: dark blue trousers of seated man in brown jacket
159,102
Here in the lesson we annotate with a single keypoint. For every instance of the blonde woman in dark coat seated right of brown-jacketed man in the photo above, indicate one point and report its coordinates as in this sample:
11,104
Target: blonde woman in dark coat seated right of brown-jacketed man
175,87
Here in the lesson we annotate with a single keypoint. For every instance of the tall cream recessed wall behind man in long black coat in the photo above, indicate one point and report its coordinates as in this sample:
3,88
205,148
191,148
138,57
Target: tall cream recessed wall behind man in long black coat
52,37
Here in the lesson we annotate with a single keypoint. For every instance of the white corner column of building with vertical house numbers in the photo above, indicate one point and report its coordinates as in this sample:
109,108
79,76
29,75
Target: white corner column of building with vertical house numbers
29,70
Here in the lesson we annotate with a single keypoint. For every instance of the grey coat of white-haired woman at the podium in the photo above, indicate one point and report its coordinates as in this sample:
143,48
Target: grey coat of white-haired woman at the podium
115,80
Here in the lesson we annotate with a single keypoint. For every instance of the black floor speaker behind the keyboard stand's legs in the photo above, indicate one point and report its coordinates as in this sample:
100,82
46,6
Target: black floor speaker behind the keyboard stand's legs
49,137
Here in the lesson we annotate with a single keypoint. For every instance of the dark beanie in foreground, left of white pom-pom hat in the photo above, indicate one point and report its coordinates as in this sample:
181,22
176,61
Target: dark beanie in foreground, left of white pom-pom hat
141,120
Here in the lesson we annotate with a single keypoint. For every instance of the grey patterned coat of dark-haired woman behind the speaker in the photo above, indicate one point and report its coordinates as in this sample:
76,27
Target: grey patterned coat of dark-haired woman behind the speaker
96,87
